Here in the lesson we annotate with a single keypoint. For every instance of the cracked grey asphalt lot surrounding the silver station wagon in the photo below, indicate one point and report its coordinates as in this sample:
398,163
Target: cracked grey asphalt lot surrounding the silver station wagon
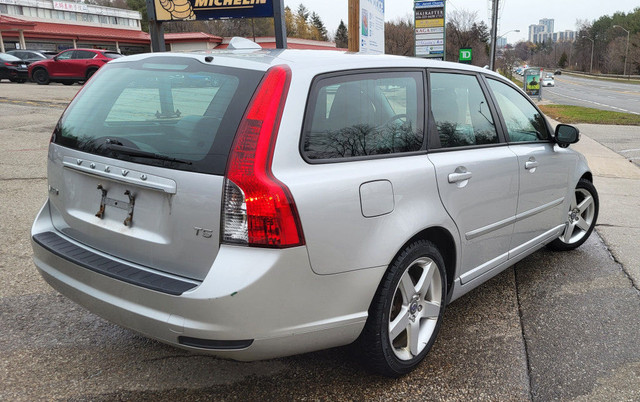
556,326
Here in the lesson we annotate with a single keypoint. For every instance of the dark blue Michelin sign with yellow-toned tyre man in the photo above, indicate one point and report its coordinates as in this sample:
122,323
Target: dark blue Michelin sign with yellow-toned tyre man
168,10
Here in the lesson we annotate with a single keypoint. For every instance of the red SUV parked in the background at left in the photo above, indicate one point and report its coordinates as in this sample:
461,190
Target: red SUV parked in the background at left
69,66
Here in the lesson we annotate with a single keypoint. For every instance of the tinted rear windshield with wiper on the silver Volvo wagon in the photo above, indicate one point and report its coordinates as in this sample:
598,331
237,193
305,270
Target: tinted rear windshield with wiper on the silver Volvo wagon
163,111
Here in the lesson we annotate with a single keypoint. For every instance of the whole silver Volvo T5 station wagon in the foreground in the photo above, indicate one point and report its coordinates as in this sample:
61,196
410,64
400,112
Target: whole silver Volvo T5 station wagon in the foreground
255,204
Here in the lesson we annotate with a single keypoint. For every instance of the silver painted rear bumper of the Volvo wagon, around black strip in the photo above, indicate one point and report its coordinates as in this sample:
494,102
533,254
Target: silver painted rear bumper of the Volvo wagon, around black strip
254,303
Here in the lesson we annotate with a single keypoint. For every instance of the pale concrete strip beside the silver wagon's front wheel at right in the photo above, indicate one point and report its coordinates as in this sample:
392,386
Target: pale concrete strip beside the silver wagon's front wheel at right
618,183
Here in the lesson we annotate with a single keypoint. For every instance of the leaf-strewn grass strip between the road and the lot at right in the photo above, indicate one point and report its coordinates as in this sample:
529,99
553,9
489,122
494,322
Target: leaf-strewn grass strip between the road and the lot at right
578,114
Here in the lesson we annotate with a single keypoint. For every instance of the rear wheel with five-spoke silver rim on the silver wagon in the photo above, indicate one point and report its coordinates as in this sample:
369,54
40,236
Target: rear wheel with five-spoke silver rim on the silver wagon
406,312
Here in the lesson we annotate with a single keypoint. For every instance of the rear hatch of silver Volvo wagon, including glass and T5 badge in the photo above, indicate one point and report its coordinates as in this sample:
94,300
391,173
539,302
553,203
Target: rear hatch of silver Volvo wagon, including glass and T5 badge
137,161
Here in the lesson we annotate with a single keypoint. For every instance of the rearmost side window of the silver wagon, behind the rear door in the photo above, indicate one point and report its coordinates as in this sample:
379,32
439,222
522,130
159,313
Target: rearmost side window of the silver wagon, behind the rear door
363,115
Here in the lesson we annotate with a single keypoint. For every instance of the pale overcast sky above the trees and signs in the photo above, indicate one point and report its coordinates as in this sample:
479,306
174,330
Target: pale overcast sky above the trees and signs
515,14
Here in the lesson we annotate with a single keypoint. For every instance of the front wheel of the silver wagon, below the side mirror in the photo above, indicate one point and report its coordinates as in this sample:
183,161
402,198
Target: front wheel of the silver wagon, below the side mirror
581,218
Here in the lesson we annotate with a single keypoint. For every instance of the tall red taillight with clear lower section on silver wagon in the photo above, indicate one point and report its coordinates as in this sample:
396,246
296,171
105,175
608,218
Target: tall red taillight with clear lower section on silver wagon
258,209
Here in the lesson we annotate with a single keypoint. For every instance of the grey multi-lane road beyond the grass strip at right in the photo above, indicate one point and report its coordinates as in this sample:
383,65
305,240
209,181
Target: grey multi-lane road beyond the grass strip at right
606,95
